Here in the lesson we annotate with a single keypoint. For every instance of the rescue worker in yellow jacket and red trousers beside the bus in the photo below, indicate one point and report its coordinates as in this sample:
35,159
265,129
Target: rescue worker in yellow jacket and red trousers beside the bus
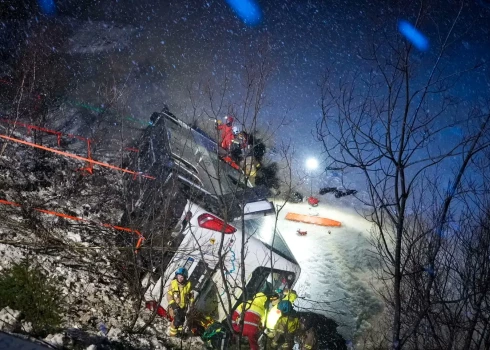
252,312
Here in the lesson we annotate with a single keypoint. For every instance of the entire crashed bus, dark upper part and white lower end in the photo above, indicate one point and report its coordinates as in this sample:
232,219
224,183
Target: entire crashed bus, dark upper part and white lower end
213,248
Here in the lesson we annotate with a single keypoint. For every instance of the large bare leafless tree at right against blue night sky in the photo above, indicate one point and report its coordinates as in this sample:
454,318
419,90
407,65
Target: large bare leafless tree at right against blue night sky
386,125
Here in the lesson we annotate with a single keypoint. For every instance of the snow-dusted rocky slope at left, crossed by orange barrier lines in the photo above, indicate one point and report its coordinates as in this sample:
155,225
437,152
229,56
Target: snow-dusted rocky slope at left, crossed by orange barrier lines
94,291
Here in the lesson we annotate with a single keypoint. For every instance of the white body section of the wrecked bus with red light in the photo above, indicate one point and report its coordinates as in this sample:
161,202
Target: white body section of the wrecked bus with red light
264,252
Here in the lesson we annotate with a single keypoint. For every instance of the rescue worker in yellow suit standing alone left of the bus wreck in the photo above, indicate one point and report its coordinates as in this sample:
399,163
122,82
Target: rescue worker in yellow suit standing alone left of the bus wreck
179,297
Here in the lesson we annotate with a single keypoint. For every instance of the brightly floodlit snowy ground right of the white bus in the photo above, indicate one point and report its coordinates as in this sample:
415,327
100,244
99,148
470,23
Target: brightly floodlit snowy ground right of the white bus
335,265
